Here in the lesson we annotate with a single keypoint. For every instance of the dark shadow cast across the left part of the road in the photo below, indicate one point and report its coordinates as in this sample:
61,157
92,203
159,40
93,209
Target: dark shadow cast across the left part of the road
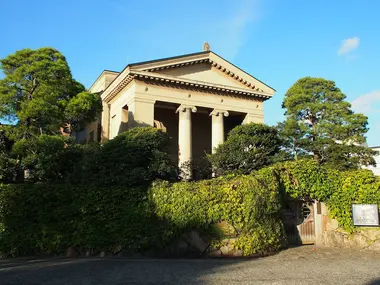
113,271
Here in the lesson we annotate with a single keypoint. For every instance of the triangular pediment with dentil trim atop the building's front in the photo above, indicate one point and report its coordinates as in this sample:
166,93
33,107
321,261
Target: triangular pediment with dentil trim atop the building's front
204,67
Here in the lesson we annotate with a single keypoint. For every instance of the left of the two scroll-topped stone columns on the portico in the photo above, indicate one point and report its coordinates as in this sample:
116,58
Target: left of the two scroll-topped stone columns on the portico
184,140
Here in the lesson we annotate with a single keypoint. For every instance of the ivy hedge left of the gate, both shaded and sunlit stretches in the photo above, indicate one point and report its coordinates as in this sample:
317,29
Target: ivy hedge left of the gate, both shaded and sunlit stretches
49,218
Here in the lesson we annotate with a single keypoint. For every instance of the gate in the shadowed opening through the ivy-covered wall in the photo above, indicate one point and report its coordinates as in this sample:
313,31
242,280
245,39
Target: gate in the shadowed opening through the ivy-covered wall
299,222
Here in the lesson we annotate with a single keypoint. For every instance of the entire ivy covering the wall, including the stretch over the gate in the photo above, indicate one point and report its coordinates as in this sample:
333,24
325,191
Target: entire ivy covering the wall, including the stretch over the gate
49,218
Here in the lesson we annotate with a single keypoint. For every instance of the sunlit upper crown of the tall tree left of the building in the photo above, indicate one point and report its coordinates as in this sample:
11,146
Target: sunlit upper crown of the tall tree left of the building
40,95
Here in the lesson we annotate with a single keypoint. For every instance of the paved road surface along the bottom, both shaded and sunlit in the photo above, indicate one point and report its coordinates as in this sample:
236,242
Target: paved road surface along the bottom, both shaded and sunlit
302,265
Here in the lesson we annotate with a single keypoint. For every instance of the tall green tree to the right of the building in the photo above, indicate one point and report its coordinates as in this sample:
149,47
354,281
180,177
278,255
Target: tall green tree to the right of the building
320,122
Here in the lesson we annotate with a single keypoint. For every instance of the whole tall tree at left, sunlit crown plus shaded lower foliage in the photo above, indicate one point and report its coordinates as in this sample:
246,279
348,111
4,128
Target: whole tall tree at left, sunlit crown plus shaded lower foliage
39,97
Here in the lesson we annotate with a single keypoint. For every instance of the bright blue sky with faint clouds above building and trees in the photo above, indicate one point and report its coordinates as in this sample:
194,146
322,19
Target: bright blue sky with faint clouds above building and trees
276,41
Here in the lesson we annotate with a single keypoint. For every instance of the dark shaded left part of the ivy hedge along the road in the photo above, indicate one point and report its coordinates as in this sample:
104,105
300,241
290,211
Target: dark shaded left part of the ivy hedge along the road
48,218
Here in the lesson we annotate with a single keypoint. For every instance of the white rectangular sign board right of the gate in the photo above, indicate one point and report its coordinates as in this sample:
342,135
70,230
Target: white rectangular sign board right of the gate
365,214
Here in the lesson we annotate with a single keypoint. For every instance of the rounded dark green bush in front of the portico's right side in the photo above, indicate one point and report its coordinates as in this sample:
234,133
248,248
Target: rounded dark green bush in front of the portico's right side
248,147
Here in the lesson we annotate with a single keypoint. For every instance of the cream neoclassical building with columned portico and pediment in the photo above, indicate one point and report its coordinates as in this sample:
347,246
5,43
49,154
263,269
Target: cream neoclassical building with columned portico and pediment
196,98
